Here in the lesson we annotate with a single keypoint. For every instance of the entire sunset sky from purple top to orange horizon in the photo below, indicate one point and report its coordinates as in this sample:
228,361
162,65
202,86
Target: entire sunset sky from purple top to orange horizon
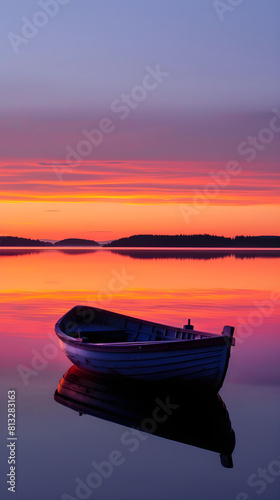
127,117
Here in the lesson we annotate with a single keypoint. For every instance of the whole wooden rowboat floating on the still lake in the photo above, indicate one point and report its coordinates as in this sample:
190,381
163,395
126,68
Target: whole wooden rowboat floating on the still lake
108,343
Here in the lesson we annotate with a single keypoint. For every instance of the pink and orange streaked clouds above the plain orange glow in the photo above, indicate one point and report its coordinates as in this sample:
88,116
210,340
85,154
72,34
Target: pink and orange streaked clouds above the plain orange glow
137,182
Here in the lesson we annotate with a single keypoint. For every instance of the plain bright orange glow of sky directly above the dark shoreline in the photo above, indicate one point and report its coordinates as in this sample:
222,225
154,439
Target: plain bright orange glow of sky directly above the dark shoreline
107,221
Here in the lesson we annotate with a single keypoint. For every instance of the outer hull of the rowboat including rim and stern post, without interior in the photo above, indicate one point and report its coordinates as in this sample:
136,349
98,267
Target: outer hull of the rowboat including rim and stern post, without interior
200,359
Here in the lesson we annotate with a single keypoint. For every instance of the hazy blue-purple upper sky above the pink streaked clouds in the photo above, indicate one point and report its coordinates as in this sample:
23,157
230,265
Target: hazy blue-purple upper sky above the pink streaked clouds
223,76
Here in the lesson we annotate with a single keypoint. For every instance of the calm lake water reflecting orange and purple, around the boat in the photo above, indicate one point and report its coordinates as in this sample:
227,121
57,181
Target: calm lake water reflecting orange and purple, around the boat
55,447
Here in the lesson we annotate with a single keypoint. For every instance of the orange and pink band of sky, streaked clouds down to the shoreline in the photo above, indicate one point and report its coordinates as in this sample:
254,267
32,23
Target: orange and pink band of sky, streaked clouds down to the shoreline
108,200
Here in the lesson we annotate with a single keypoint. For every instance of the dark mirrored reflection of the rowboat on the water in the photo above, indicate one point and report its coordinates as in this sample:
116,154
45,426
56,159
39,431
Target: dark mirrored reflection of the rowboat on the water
180,411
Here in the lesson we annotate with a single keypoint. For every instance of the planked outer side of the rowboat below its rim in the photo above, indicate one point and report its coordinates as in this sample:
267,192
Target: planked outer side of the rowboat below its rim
193,362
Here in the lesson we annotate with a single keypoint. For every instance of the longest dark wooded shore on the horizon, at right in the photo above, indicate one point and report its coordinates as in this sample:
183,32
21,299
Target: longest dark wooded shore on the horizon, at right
196,240
